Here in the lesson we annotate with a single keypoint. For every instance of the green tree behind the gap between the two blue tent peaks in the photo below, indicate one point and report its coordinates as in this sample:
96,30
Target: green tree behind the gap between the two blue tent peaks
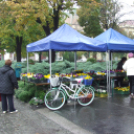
95,18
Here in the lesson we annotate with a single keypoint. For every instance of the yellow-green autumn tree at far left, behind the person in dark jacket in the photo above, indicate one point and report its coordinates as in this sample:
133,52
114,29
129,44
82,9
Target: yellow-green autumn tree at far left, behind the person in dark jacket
15,26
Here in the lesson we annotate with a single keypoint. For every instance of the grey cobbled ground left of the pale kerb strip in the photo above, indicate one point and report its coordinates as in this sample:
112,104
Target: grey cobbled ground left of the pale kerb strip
28,121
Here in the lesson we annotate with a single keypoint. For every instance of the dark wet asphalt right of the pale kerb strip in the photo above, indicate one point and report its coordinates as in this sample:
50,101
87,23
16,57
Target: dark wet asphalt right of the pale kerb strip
103,116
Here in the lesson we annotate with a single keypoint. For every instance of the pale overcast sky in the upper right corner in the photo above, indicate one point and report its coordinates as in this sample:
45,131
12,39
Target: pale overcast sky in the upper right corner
127,10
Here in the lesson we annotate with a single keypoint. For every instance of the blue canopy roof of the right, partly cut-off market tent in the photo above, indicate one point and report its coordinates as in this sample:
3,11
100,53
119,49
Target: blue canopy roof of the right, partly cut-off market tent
116,41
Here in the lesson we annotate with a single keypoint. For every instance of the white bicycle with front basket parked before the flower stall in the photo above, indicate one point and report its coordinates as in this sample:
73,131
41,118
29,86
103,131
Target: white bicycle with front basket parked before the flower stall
56,97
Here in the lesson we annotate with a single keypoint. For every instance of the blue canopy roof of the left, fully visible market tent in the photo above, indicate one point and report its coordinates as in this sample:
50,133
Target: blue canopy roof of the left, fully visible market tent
66,38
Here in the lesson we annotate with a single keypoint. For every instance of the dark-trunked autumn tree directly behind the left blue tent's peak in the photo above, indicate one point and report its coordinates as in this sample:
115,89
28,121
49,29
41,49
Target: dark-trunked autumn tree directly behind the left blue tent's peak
56,13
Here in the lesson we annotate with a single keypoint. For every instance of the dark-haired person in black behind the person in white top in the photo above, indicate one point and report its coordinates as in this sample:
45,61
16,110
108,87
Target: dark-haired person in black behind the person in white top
119,67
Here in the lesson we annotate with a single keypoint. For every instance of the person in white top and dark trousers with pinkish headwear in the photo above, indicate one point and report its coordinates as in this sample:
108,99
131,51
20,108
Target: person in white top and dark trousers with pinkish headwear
129,68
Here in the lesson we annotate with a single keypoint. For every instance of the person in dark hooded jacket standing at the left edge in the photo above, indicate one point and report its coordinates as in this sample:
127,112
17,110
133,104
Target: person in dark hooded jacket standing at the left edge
8,83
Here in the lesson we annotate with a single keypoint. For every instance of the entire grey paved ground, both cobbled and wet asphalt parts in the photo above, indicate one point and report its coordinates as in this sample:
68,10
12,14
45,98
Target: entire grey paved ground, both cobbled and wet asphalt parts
104,116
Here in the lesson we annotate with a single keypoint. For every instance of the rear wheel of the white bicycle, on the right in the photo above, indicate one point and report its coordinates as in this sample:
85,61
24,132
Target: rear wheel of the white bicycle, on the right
86,96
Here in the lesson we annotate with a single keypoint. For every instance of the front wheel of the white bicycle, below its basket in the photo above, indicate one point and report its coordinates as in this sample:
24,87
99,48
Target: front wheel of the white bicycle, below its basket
54,99
